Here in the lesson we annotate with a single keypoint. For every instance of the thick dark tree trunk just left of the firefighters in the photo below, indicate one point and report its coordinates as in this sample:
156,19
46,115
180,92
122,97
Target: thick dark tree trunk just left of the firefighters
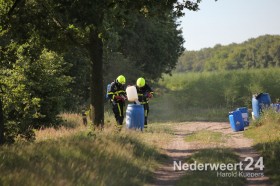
95,49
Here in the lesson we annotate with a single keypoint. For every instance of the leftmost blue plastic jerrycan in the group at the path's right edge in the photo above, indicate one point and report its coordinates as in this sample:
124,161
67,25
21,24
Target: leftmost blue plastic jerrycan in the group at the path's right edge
236,121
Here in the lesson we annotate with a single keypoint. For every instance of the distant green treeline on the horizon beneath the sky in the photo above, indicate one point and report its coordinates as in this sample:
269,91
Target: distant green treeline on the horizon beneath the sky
261,52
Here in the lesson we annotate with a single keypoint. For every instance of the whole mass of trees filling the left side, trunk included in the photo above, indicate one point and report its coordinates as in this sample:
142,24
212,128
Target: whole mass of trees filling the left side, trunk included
58,56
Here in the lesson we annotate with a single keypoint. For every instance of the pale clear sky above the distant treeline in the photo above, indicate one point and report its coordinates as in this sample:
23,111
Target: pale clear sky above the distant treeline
229,21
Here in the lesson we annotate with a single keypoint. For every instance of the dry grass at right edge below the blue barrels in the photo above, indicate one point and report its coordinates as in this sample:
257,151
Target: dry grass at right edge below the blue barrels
266,134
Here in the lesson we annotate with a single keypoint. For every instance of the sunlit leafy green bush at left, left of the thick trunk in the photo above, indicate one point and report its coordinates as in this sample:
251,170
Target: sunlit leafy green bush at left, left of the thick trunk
34,91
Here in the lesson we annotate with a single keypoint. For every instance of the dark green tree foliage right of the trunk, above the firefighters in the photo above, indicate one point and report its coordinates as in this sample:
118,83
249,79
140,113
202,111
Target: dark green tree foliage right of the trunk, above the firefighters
139,47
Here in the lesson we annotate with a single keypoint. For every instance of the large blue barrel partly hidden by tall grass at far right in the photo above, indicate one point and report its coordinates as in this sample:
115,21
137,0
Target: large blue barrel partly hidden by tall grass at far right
260,102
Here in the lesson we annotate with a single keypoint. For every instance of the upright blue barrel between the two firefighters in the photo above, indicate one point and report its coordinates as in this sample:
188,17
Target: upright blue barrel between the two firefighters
135,116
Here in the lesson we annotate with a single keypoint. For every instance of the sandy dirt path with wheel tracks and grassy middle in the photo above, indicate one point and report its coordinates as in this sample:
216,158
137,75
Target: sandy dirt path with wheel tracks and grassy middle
178,149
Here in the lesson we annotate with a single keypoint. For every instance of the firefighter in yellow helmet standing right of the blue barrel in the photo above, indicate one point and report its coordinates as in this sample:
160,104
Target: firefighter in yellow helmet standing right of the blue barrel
145,93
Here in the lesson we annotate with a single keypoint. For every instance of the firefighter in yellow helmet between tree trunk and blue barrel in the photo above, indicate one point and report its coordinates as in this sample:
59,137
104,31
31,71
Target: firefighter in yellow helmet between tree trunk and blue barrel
117,96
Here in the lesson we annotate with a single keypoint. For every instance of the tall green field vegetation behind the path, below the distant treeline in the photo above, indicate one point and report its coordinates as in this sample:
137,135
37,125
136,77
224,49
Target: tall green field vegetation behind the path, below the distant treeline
211,95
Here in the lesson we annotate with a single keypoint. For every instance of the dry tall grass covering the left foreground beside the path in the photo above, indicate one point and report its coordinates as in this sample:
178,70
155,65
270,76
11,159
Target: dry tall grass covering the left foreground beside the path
69,156
